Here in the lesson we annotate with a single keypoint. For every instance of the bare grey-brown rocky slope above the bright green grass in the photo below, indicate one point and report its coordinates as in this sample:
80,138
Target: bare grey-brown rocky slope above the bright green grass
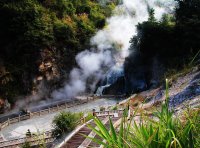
184,89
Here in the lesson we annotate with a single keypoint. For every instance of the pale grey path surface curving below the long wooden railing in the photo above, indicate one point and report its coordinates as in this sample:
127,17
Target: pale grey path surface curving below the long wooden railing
44,123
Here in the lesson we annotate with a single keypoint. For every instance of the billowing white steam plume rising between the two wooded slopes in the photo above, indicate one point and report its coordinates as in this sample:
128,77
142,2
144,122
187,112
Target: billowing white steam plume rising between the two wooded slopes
120,28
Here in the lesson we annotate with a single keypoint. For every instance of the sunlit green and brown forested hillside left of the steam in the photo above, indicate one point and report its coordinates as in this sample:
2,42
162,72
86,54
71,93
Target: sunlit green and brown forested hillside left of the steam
40,38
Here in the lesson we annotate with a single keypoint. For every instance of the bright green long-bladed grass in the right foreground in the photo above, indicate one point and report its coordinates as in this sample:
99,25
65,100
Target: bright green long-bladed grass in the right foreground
163,129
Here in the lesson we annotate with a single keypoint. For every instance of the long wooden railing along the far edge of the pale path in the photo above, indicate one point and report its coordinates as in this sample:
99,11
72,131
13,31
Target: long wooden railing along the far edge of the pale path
55,108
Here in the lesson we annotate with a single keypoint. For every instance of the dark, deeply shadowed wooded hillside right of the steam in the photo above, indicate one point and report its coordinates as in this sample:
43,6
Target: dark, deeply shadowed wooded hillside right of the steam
163,46
